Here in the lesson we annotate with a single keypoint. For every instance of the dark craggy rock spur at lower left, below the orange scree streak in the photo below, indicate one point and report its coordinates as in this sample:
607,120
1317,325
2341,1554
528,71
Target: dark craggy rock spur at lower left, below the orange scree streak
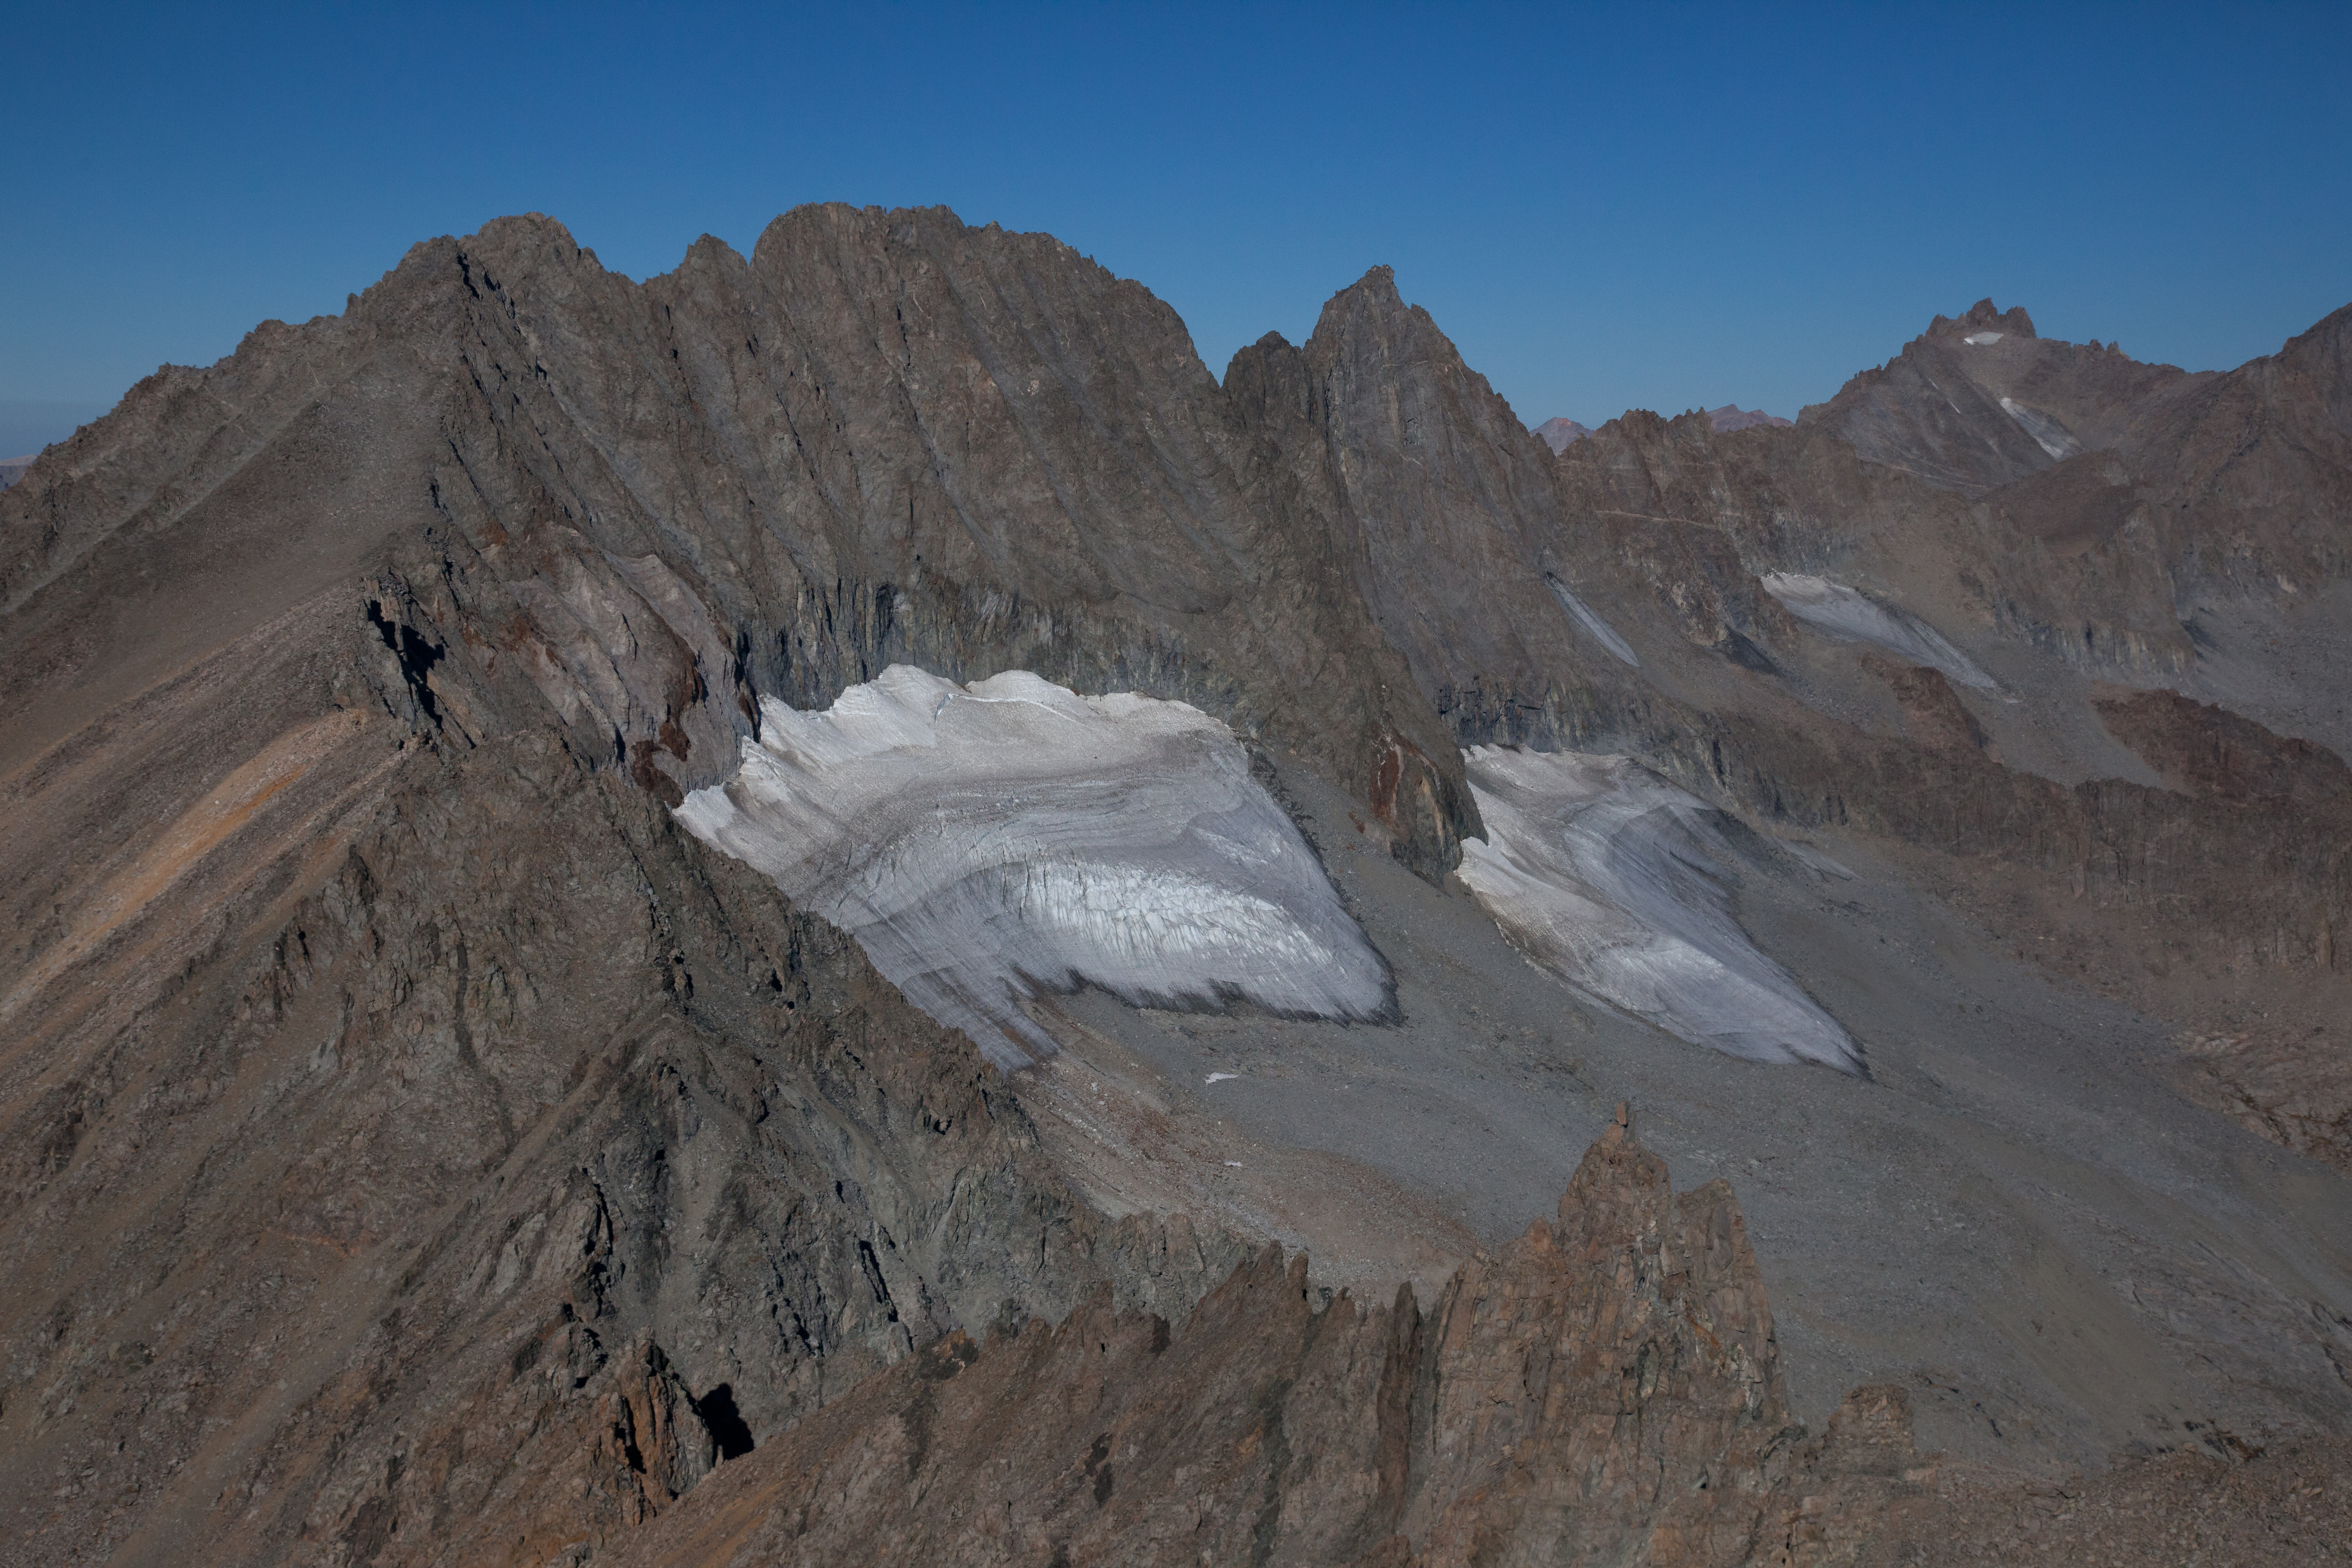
472,1212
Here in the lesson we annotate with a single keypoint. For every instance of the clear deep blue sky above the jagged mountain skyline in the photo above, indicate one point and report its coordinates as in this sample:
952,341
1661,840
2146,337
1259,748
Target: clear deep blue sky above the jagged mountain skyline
1605,208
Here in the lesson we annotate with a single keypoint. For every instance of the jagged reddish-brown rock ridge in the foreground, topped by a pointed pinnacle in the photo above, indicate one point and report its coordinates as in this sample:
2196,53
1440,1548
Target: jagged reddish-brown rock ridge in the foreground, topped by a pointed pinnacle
1603,1391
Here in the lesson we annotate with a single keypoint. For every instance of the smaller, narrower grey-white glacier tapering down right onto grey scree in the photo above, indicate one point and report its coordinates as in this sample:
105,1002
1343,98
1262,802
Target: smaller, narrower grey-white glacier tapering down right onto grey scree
1615,880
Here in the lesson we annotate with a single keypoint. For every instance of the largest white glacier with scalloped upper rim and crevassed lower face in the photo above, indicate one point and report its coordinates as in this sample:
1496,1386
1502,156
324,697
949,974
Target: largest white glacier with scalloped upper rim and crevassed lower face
1010,836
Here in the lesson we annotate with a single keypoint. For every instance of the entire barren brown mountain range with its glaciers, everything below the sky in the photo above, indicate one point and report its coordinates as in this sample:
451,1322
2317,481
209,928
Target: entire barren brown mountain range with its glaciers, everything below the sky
674,913
